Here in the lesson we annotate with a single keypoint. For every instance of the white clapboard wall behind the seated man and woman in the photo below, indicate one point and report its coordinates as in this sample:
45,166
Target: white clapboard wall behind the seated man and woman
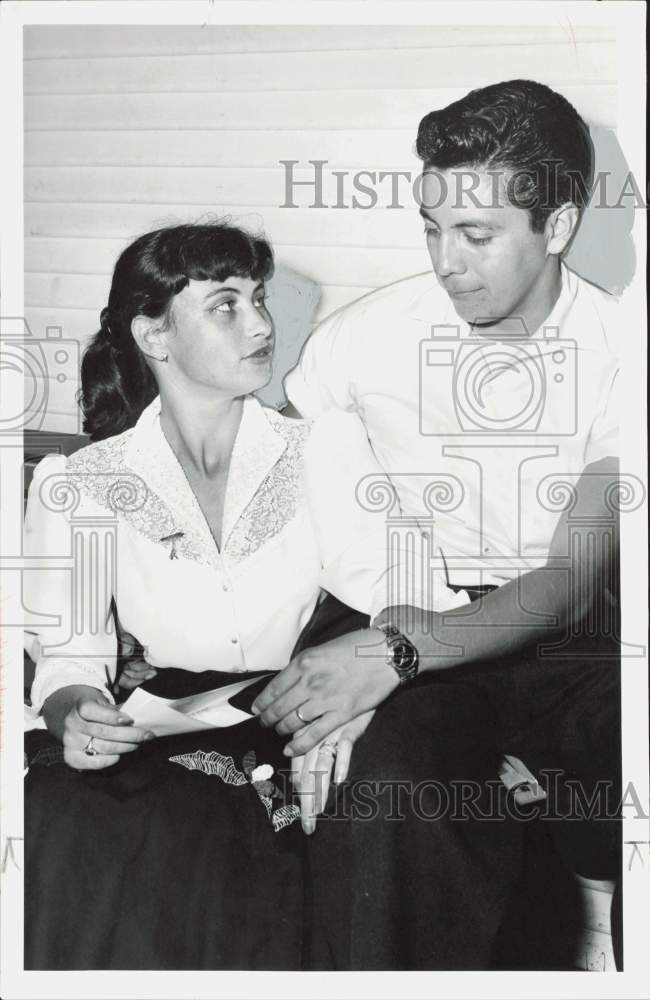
127,128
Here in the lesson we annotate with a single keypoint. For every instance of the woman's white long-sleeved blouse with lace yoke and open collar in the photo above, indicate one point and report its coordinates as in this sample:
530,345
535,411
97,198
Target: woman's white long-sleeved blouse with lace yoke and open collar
116,527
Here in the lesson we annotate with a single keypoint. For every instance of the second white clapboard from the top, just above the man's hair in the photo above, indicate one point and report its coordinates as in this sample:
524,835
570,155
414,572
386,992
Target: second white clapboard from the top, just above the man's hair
348,70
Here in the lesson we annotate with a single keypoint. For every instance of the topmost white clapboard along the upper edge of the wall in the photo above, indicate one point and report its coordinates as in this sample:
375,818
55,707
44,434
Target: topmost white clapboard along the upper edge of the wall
76,41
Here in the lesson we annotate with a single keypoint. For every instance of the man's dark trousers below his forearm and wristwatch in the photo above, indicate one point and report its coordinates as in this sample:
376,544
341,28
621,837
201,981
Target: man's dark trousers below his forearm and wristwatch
413,864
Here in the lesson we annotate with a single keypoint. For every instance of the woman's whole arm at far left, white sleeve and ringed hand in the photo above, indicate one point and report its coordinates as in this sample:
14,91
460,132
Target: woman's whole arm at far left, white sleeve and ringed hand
75,664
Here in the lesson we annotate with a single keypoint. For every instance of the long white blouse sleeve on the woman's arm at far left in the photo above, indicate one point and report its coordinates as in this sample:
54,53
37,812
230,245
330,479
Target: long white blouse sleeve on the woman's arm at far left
69,625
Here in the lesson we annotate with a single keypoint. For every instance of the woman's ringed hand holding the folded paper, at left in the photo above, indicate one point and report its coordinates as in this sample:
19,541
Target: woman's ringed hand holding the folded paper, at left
78,713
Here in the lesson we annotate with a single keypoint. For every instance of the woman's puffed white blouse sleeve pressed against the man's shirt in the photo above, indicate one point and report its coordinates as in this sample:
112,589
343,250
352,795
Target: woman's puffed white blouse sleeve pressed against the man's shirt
371,557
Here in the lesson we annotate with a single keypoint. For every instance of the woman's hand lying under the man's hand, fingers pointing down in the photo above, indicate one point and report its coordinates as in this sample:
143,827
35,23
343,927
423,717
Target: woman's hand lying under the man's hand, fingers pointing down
311,773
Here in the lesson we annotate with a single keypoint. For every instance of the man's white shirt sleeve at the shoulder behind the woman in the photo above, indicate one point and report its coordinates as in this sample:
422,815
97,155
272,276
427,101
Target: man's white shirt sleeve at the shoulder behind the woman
324,376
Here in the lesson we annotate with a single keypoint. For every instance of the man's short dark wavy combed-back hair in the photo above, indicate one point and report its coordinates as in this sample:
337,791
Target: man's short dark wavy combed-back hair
525,129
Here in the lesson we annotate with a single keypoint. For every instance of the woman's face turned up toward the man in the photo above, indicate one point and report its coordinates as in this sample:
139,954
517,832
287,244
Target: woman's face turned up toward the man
221,336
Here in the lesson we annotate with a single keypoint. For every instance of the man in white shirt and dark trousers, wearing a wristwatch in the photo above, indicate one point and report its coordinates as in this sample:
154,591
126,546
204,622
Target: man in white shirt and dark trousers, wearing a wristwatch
490,401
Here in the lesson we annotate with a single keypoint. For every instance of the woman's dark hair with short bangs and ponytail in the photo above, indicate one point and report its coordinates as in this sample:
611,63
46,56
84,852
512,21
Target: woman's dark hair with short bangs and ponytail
116,381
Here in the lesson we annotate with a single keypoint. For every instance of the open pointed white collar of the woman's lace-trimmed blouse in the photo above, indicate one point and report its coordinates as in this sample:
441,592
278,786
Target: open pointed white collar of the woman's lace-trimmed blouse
257,448
